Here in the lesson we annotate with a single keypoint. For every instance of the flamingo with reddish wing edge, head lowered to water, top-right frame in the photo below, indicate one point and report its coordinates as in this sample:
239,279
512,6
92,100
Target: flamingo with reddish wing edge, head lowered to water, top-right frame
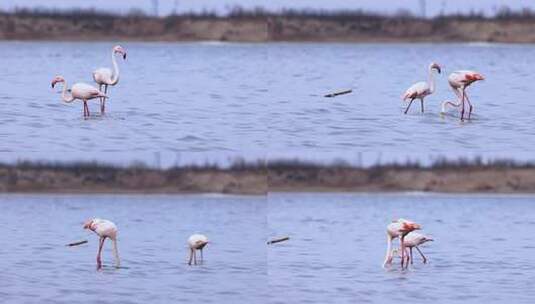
459,81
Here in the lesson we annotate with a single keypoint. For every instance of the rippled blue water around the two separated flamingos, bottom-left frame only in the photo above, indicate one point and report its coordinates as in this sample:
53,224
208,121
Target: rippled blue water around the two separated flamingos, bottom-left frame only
38,268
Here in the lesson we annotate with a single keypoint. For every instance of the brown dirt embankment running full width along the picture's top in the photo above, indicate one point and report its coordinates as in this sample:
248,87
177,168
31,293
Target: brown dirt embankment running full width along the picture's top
265,28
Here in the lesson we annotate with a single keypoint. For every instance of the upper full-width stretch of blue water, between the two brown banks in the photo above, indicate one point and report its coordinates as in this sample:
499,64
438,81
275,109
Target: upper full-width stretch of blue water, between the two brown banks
266,100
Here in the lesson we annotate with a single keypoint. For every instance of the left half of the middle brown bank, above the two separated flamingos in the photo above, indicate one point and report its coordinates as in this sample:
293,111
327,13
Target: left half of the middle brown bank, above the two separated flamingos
94,178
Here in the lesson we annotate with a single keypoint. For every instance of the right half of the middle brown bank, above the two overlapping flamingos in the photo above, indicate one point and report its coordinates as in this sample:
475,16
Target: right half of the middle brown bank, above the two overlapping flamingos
470,180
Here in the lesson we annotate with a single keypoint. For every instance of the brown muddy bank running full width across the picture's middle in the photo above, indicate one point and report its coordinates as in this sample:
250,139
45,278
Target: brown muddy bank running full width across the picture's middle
260,179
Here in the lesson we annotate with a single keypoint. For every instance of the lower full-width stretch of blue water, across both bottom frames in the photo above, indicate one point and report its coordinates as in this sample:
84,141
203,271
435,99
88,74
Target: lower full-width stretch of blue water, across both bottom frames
482,253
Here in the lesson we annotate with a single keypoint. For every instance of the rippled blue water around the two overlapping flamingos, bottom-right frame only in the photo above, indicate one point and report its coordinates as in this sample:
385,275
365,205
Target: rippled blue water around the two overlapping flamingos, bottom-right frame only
483,249
